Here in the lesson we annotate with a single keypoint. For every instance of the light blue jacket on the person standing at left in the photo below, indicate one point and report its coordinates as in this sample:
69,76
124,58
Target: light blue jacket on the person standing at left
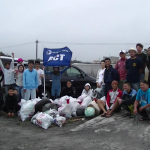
30,79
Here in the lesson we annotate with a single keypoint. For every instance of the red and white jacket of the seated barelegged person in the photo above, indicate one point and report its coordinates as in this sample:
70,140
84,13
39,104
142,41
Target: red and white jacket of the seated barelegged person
111,98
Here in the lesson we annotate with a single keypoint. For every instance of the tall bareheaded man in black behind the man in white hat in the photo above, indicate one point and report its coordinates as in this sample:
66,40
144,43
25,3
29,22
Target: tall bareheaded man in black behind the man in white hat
142,57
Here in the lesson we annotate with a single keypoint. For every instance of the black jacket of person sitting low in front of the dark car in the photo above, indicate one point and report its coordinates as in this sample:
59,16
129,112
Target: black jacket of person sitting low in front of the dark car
69,91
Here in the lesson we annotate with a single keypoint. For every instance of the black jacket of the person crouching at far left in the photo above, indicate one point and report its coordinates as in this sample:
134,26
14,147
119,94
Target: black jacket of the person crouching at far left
11,102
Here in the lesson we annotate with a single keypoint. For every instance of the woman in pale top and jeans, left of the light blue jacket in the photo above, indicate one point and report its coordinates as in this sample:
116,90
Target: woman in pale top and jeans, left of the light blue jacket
19,80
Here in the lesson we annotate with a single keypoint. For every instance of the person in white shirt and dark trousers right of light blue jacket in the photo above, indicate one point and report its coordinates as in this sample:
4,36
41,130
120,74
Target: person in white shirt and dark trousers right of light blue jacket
40,74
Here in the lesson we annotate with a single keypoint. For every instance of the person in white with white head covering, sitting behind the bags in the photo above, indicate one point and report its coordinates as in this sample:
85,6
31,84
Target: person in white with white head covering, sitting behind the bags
86,96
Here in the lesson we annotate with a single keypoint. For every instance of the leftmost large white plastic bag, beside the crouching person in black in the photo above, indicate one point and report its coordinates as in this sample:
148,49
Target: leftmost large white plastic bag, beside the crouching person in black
27,108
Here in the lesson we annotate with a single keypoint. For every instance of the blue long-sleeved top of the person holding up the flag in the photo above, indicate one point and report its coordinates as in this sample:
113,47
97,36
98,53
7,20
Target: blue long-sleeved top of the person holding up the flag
56,79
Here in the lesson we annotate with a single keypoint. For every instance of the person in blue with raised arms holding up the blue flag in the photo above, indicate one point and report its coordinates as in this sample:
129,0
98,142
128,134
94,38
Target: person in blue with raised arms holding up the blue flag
56,81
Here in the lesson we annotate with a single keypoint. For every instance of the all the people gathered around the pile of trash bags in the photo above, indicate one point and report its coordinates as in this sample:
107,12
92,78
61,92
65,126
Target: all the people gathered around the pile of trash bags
123,86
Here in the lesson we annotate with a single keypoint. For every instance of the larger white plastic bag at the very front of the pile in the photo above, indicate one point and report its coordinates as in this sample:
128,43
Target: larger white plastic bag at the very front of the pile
43,120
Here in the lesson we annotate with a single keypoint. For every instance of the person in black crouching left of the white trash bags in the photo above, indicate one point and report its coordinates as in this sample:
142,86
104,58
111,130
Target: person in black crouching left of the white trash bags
10,105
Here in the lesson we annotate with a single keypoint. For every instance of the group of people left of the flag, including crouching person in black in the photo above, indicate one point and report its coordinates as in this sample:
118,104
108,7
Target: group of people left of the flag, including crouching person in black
20,83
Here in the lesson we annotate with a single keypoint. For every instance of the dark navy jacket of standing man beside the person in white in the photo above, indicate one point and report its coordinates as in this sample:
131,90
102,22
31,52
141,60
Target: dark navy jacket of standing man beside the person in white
110,75
